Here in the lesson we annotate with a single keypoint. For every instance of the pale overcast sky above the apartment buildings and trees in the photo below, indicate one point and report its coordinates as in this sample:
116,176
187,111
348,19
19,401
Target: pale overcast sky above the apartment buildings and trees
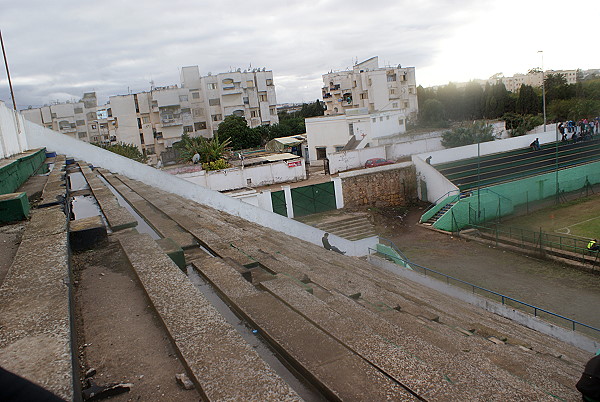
59,49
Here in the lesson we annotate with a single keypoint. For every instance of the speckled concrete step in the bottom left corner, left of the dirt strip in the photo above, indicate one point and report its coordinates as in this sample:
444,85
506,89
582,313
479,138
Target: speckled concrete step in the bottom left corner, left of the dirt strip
35,336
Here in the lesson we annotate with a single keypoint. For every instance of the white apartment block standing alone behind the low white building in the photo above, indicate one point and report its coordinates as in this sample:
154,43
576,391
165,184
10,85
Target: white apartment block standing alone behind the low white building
371,87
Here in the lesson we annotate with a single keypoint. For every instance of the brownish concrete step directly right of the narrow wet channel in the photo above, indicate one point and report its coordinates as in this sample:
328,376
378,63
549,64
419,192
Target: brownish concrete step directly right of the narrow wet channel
340,373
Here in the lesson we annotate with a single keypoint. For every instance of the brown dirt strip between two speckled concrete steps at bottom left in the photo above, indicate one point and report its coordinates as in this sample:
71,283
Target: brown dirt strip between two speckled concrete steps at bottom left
119,334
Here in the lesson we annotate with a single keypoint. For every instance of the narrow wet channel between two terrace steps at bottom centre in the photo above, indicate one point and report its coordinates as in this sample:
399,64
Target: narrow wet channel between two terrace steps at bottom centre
252,336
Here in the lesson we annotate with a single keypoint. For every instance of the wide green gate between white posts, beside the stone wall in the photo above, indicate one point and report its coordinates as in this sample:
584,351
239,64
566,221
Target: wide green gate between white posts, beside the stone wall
312,199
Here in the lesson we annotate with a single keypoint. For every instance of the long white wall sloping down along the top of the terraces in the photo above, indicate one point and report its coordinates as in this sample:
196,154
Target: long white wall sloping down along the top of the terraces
39,136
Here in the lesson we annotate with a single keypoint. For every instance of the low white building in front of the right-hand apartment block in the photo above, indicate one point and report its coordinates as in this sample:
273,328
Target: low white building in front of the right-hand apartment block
354,130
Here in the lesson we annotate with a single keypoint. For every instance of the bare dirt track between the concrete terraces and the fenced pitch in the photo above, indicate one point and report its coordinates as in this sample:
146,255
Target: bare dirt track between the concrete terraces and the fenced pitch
543,283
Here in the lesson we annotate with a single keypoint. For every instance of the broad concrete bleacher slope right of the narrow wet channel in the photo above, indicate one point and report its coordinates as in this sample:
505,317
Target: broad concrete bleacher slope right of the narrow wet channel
423,342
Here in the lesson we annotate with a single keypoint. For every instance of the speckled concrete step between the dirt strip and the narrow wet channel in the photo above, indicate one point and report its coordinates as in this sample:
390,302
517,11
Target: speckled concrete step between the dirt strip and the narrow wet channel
222,364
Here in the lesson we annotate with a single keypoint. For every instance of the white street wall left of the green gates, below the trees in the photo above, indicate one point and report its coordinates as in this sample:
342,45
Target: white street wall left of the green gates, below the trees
236,177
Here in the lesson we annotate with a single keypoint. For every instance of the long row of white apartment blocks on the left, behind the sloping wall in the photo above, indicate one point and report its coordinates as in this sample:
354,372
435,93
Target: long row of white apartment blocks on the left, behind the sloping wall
154,120
